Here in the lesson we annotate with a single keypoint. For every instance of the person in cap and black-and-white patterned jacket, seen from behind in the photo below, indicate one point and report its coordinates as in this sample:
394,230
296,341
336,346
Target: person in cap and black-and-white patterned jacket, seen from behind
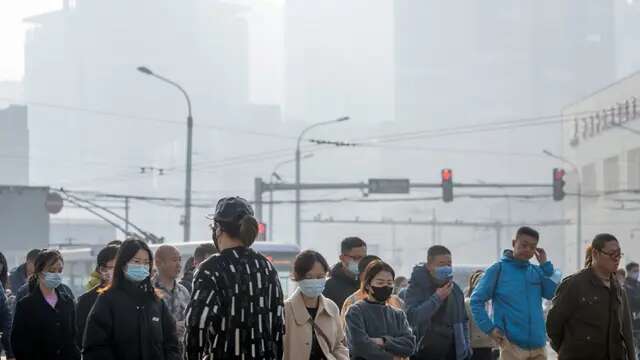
236,309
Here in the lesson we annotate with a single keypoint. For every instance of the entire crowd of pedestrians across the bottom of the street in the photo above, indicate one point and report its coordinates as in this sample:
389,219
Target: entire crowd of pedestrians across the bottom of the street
229,304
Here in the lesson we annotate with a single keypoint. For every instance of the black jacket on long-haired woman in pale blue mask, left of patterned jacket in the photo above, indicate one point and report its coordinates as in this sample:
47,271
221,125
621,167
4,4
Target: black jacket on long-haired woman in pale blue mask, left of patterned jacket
126,323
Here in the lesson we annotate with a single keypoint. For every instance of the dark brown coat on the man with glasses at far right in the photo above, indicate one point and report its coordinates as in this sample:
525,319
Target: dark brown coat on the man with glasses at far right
589,320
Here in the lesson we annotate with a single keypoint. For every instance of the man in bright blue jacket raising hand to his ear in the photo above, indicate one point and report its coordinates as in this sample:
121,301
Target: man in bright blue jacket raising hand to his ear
516,288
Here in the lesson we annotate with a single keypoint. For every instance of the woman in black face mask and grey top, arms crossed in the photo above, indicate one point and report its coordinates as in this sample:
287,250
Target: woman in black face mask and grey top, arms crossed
375,330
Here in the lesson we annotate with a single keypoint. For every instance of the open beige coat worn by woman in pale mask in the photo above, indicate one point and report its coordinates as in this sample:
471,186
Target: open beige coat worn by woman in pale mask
298,336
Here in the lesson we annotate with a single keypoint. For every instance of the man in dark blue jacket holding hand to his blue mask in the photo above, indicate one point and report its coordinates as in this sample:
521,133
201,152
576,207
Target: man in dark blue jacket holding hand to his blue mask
436,310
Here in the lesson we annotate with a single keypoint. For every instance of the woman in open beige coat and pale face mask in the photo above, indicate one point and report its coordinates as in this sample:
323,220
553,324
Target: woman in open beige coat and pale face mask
314,328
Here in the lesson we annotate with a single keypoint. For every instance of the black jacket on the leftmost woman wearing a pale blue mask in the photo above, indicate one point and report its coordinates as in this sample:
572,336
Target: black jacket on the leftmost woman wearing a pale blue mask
41,332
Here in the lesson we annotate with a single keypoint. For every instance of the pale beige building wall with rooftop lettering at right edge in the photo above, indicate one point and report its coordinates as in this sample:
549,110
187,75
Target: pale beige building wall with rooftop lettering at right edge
601,135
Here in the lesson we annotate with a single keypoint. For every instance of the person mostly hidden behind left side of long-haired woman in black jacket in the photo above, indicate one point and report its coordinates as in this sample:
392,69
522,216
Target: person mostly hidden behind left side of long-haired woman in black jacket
105,264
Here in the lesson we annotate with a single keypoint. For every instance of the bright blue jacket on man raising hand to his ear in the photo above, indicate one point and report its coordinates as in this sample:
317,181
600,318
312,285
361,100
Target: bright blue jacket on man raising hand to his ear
516,289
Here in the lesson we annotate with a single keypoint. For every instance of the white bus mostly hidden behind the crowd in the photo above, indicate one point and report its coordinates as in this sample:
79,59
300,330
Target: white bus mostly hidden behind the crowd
79,263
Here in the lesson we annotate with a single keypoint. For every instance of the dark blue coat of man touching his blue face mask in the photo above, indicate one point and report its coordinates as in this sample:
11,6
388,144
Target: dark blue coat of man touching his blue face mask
423,303
